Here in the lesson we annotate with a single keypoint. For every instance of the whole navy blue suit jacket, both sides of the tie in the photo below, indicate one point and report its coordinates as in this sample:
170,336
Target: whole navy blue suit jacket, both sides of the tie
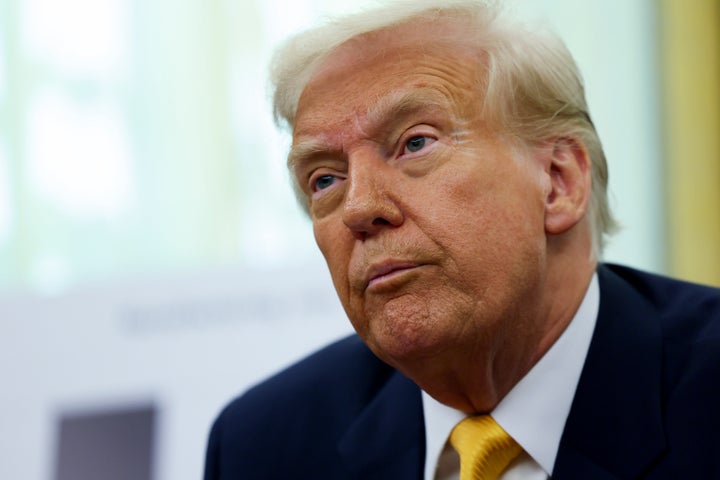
647,405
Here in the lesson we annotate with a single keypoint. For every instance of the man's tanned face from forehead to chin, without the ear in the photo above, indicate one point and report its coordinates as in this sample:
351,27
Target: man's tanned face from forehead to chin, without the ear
432,225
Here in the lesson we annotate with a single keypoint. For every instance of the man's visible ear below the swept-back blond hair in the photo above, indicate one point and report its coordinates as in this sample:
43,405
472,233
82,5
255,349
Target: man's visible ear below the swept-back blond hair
568,167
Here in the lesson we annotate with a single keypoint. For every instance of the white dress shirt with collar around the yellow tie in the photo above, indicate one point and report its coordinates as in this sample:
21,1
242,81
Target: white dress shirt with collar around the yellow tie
533,412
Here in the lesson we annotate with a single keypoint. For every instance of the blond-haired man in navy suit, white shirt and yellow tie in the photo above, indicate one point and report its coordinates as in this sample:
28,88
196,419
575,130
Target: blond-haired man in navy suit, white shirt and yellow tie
456,187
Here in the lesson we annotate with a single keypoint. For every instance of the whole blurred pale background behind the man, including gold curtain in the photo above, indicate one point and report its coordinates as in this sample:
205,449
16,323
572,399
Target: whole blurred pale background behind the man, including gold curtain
153,262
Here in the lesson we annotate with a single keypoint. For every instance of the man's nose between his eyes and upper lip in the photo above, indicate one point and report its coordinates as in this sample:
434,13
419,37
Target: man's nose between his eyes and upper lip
369,204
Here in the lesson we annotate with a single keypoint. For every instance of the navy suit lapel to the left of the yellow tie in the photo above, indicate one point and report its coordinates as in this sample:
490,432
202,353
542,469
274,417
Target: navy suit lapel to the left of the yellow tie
387,440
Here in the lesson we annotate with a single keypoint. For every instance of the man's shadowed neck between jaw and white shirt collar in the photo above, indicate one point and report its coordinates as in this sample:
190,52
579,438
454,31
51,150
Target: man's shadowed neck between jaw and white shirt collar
481,378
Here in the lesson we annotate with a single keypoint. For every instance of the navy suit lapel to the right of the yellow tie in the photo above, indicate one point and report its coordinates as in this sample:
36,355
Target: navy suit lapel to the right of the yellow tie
614,429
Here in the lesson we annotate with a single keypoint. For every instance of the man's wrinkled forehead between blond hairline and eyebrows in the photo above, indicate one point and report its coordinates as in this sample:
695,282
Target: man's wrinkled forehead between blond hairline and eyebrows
431,60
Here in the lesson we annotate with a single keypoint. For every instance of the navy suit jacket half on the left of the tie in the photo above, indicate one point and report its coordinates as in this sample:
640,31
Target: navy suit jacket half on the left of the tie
340,413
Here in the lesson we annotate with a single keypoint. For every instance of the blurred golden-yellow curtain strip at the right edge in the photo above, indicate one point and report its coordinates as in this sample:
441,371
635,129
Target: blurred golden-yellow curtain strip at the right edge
690,55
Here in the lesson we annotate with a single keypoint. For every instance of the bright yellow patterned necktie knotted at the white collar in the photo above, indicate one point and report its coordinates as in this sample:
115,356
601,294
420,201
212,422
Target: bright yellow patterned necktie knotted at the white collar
485,448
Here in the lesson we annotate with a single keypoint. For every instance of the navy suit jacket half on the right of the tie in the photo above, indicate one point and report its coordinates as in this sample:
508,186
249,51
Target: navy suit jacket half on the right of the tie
646,403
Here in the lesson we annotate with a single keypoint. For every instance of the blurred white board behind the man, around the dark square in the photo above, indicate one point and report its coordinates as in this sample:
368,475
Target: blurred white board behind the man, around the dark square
186,344
